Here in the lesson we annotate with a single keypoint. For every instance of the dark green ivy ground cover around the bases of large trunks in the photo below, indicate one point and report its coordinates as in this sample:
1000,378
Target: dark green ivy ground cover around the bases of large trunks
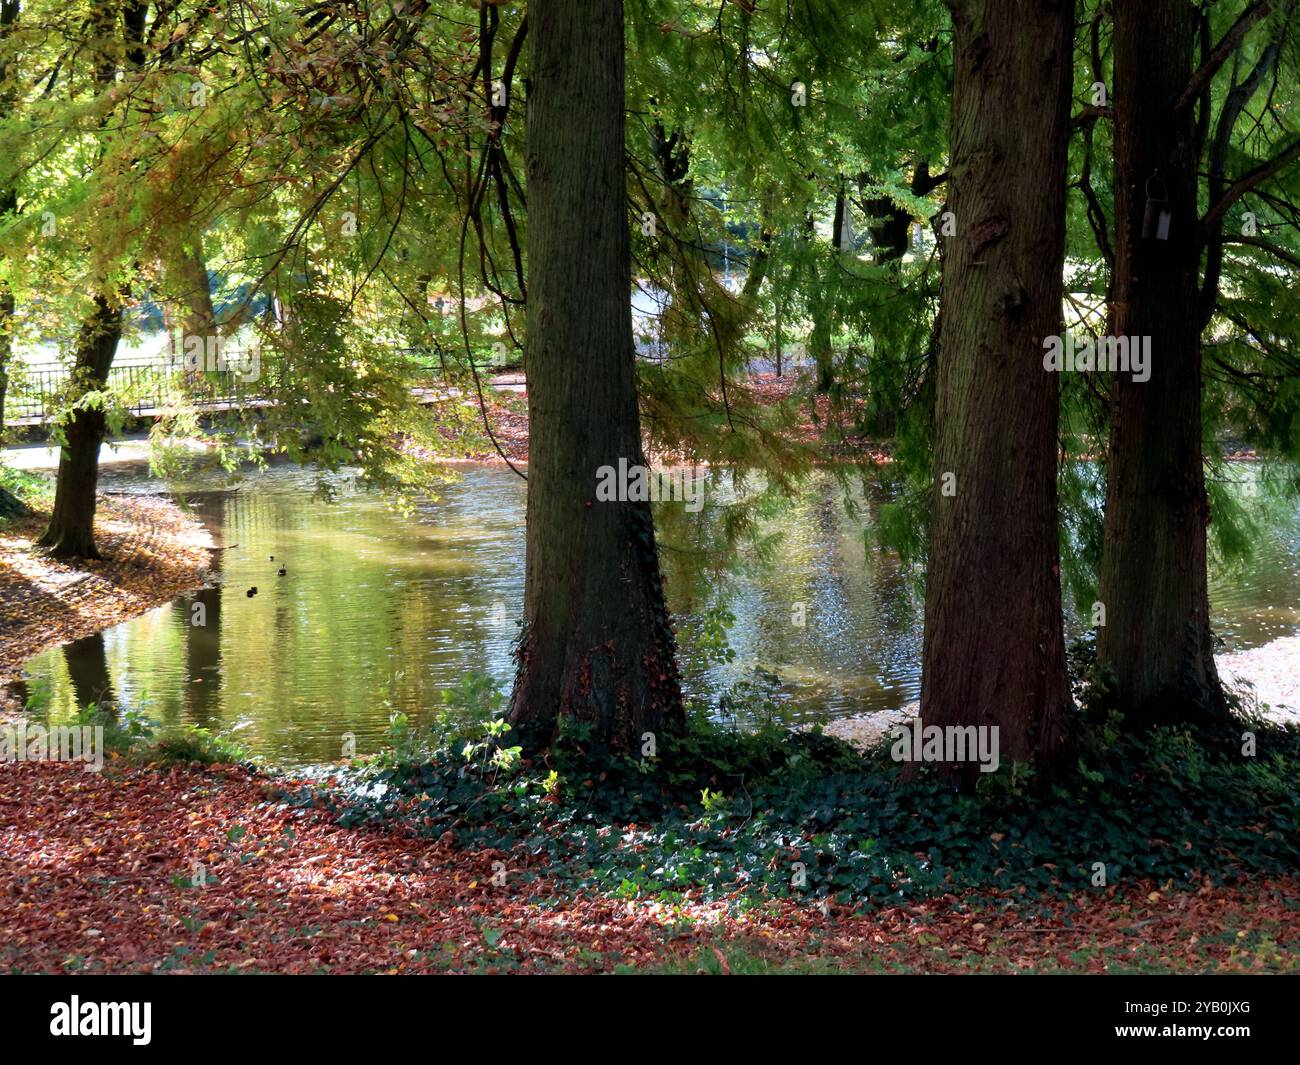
723,813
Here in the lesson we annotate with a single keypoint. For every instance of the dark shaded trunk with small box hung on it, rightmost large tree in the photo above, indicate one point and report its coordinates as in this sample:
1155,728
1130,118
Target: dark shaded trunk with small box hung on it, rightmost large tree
1156,640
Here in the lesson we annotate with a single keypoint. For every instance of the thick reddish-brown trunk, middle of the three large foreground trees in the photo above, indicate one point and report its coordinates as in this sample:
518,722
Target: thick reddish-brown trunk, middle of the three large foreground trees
994,646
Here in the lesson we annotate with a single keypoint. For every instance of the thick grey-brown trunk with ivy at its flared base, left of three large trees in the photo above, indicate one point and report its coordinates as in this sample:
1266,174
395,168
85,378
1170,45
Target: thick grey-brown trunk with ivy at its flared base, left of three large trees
597,646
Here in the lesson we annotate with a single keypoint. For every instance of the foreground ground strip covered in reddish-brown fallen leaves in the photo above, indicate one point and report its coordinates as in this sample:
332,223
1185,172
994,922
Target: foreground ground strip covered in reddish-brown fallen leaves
190,869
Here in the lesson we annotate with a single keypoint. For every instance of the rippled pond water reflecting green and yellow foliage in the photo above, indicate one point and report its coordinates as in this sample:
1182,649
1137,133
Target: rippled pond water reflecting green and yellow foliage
380,612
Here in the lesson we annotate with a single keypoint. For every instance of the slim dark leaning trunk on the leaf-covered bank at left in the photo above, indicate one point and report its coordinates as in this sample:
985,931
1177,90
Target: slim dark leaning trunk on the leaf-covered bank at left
72,526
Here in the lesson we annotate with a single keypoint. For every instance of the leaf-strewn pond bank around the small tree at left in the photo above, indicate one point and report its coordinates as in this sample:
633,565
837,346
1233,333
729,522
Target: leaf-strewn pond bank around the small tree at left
153,553
